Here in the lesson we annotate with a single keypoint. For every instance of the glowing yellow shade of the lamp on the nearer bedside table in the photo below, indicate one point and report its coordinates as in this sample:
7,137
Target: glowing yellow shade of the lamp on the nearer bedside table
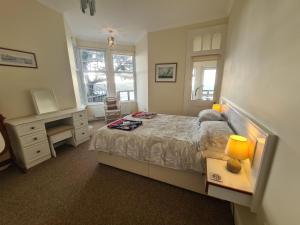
237,147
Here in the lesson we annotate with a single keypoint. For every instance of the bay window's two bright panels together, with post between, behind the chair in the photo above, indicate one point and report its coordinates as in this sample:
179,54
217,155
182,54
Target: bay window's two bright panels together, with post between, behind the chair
106,73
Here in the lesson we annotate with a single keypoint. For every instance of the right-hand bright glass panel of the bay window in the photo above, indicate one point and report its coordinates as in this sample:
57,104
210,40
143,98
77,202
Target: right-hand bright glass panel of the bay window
124,76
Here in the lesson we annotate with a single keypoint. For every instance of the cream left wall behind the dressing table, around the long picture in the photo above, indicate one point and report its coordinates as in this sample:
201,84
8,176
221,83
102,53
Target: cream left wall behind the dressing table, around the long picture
30,26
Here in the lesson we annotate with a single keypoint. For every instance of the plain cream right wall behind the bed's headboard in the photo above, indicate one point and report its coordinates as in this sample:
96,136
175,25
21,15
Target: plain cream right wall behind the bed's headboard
261,75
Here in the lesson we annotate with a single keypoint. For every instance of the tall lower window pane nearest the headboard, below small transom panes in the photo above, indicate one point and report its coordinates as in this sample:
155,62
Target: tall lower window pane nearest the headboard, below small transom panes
203,79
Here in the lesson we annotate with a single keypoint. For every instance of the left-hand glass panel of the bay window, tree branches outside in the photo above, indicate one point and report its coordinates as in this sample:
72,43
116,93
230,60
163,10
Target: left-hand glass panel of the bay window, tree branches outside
94,74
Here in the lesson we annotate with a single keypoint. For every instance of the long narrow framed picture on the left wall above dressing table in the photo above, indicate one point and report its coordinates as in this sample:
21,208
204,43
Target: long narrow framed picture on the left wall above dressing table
17,58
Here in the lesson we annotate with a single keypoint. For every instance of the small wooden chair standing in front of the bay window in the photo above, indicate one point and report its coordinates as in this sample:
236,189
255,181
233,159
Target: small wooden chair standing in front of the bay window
112,109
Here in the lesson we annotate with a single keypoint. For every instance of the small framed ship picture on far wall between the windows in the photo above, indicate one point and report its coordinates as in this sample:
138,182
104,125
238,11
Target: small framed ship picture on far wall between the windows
165,72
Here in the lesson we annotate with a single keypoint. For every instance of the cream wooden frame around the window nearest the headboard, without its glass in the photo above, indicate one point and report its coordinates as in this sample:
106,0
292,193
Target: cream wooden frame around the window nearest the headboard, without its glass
189,104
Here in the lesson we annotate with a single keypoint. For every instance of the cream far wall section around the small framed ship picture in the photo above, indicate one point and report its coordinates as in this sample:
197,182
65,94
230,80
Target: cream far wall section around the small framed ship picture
170,46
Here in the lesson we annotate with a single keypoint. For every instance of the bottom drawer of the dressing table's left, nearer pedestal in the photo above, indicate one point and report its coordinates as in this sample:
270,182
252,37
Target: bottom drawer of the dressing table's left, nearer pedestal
36,151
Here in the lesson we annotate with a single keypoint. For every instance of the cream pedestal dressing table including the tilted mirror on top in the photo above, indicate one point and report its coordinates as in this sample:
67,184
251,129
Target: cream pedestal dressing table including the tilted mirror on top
28,135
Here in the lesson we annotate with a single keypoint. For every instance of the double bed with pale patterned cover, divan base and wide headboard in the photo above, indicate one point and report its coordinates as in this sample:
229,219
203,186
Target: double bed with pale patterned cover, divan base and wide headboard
172,149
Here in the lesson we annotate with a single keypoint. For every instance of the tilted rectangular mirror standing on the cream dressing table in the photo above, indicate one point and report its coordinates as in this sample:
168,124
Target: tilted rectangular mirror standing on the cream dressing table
44,101
